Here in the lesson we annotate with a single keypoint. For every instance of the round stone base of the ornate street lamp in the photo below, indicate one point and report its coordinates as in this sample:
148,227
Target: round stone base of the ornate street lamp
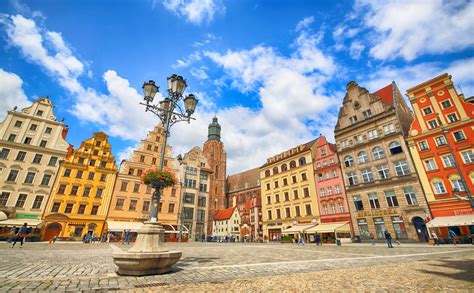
147,256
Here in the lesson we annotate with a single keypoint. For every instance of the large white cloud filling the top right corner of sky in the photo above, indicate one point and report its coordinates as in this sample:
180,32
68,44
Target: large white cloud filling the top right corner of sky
409,29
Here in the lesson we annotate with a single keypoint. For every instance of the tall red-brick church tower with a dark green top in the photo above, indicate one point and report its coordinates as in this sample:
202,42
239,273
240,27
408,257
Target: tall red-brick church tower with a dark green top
214,151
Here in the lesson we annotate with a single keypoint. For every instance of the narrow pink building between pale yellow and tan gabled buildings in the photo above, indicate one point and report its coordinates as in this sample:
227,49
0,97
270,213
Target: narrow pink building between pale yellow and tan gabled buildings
329,183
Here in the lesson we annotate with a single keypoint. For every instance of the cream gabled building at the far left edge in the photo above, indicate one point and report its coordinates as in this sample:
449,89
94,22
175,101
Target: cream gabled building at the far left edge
32,143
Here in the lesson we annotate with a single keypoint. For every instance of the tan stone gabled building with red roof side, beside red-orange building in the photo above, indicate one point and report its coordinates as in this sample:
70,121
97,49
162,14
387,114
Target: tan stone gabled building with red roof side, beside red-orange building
381,183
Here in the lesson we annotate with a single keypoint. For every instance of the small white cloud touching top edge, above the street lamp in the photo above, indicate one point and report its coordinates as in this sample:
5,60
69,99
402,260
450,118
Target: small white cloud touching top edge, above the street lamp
195,11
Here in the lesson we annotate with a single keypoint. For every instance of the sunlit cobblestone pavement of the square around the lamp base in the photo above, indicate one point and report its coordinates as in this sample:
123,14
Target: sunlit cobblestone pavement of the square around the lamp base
242,267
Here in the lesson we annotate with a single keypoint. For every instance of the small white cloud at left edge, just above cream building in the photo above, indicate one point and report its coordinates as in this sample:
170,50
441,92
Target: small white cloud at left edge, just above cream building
11,93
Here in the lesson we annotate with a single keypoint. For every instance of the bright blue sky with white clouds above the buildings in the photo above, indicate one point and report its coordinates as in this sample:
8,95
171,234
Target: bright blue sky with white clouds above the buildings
274,72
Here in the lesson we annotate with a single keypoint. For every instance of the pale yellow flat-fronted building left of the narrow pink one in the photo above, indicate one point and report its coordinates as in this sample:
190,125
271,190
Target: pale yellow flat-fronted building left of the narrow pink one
288,191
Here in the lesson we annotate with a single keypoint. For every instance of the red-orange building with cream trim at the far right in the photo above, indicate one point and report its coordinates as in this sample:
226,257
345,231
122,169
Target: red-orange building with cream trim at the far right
441,141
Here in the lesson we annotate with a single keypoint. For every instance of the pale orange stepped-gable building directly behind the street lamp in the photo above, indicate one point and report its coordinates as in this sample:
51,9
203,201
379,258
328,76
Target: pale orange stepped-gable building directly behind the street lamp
131,199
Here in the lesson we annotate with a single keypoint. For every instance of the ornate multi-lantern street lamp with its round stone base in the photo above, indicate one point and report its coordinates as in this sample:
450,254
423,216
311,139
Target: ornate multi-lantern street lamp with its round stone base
147,256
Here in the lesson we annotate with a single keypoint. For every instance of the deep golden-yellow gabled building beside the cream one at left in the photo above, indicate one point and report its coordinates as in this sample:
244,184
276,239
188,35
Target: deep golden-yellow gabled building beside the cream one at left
82,191
